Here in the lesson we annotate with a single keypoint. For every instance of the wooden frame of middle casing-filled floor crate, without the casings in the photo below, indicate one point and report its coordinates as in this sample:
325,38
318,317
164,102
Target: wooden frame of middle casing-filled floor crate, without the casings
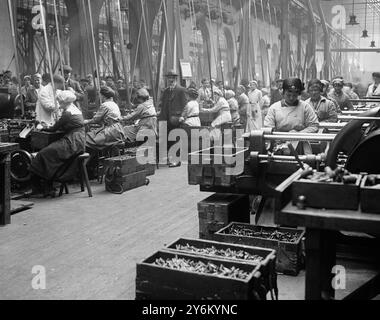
267,264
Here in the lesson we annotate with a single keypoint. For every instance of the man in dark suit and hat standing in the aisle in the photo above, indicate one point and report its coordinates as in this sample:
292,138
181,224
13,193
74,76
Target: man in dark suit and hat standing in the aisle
173,101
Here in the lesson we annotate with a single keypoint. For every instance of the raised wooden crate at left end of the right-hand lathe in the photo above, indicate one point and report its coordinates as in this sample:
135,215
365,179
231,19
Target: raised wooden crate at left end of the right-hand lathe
208,167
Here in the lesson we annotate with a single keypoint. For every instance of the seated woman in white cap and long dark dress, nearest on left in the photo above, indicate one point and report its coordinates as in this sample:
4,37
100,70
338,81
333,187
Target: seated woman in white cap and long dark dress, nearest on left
51,162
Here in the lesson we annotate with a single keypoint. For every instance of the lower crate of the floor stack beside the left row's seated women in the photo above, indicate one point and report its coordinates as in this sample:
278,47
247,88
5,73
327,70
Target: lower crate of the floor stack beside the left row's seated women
125,183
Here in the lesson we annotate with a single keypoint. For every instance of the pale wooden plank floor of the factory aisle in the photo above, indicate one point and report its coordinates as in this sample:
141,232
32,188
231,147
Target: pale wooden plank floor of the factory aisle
90,247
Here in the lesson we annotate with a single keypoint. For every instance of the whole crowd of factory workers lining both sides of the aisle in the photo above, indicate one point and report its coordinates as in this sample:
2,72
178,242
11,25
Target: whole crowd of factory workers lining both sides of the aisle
287,107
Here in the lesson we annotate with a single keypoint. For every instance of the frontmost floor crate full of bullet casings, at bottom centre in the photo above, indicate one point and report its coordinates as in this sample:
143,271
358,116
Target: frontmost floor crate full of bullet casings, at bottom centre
183,276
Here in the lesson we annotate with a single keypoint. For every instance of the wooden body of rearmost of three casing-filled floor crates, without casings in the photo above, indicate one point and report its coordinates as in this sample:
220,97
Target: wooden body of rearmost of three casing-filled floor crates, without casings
289,254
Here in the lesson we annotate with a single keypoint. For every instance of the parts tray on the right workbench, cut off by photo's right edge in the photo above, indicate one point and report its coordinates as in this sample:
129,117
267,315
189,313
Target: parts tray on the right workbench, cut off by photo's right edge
370,194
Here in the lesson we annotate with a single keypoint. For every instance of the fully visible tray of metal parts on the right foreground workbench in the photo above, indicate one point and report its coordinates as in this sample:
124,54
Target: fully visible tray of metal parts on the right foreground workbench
331,189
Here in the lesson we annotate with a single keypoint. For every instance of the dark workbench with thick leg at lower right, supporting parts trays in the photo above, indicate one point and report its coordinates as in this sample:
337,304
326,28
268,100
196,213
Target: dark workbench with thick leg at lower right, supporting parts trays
322,230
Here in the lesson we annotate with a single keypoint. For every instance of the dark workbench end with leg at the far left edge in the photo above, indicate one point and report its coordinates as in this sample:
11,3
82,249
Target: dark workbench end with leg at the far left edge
5,189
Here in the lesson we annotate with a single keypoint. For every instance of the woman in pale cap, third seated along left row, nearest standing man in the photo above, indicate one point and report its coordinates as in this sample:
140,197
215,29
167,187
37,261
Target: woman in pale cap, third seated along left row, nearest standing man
144,115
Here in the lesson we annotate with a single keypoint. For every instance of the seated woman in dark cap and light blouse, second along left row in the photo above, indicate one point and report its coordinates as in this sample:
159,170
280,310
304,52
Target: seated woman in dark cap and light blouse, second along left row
109,116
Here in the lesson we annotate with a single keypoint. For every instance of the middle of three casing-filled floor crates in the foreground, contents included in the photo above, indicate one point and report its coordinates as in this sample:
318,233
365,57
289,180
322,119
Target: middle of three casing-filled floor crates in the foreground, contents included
264,258
